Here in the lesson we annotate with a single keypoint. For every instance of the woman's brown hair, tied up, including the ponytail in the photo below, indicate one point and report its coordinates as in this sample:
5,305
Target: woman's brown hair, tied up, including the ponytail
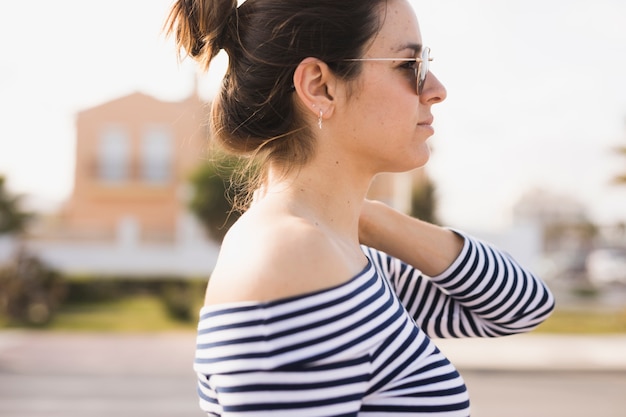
254,112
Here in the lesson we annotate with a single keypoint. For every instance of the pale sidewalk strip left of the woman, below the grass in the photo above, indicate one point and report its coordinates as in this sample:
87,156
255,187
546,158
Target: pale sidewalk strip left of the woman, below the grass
102,354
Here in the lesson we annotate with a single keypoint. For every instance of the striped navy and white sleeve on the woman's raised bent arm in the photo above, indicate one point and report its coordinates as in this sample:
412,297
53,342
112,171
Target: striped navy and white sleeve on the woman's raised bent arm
484,293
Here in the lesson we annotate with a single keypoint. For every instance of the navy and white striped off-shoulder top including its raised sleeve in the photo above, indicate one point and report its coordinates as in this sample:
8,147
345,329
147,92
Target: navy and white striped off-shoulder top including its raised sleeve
363,348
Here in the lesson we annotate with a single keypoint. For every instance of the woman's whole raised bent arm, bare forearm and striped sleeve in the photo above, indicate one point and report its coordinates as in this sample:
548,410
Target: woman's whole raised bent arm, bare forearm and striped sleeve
474,290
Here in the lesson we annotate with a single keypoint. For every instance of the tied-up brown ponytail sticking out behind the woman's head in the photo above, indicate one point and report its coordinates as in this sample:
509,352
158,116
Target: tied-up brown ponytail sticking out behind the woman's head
202,27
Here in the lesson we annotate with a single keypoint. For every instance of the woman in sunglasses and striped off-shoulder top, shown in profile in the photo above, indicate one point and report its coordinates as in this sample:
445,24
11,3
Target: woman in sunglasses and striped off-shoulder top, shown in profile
322,303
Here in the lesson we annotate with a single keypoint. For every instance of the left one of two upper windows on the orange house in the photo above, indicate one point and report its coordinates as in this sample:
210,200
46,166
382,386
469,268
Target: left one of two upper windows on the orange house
114,155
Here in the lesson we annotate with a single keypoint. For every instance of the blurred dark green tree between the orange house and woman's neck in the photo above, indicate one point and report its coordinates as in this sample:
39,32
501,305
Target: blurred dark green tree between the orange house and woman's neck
216,185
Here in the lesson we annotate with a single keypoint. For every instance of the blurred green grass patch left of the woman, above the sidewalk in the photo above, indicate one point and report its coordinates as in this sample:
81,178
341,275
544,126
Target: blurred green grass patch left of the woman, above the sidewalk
134,314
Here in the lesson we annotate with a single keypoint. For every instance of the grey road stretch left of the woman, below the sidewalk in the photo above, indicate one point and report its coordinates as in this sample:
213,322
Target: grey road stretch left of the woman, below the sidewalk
97,396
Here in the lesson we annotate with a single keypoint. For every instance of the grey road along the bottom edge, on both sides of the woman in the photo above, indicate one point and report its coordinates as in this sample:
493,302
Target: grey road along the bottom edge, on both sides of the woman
494,394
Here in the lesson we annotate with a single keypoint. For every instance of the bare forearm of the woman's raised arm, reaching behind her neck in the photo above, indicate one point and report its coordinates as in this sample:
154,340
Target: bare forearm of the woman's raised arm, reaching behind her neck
427,247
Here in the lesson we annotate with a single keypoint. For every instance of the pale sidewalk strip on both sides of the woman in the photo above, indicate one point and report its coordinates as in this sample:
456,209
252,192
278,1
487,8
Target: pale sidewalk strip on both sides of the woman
172,353
